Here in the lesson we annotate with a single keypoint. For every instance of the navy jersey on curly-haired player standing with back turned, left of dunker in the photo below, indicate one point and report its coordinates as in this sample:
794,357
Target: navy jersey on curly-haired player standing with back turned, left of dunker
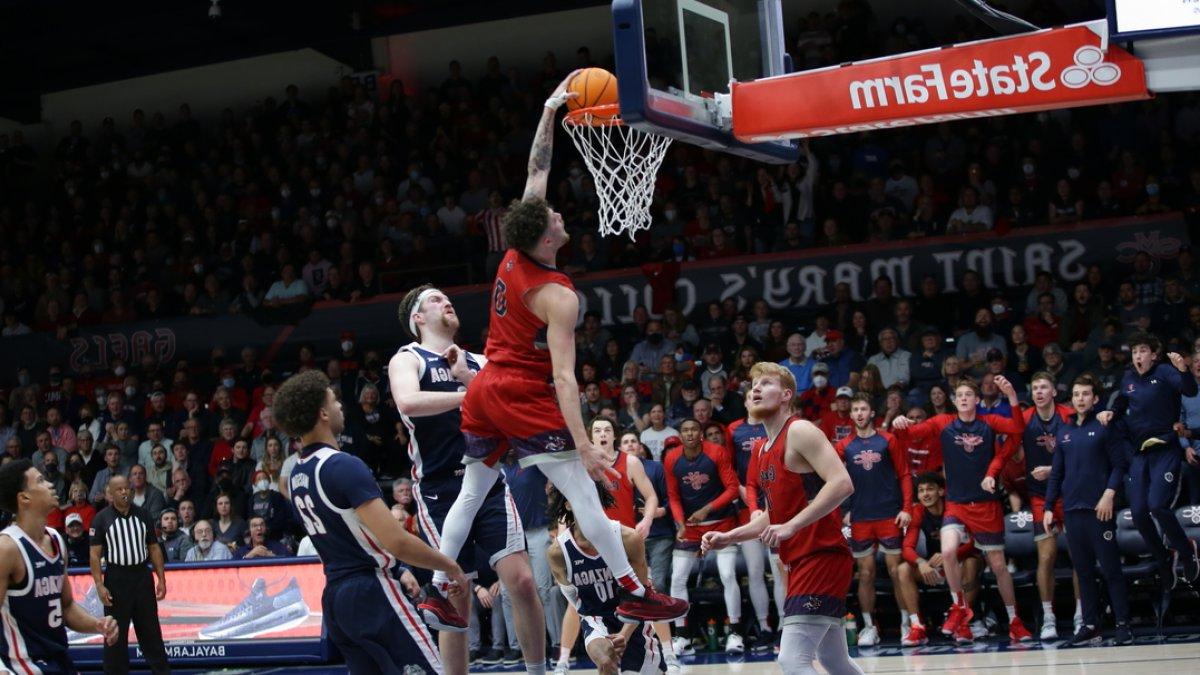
327,486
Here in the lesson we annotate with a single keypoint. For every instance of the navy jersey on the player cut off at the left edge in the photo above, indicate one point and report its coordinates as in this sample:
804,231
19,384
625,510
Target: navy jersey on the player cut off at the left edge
35,638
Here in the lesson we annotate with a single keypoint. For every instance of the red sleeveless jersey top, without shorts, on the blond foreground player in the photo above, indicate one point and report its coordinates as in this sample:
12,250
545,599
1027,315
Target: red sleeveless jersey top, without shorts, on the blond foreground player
788,494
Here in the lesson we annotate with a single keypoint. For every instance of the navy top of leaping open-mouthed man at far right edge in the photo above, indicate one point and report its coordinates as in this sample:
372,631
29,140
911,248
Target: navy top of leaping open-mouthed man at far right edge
1150,404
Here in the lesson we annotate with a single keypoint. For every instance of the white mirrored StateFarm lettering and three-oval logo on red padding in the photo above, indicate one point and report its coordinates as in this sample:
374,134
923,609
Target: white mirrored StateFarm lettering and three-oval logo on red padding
1022,75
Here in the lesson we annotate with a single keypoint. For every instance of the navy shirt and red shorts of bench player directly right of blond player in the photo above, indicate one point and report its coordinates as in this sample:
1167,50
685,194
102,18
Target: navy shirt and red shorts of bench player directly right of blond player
883,489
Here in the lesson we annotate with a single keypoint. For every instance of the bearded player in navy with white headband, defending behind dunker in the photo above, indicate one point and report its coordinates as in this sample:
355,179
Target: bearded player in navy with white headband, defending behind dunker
429,380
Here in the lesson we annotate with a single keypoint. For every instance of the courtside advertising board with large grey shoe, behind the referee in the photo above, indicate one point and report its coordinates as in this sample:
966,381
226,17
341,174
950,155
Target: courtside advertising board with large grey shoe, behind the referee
226,614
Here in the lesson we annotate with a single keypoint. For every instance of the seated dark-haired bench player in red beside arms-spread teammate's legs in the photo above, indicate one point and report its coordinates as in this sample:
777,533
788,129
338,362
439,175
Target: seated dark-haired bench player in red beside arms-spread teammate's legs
927,518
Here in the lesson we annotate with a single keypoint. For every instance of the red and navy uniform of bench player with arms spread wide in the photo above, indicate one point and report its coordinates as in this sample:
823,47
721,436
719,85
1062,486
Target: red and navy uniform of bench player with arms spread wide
971,453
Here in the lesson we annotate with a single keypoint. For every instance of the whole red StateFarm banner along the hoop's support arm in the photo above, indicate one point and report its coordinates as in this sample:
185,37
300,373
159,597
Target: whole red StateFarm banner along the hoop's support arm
1049,69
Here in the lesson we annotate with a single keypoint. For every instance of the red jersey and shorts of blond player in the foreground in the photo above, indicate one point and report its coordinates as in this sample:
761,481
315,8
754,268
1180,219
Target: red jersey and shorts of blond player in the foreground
819,563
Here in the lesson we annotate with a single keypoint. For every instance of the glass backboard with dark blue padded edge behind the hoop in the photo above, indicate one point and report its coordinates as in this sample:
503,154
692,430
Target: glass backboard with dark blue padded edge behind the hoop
675,56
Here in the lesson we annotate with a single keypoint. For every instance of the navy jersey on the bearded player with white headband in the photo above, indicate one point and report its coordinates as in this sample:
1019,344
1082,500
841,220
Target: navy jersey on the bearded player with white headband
435,443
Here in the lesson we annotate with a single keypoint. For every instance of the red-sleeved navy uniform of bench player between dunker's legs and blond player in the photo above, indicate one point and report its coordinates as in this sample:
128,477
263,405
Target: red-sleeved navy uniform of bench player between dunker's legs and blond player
707,480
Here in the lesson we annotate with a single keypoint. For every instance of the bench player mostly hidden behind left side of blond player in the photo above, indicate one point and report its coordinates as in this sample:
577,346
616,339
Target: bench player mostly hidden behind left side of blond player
743,435
